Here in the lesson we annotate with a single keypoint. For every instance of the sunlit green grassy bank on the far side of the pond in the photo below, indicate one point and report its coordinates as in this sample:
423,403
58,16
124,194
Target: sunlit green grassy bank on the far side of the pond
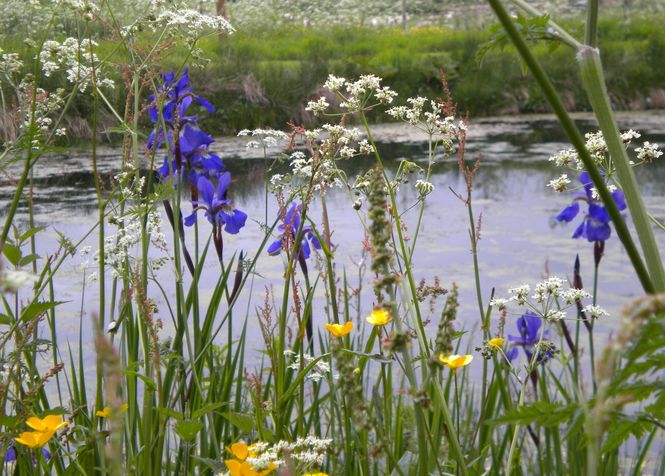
264,78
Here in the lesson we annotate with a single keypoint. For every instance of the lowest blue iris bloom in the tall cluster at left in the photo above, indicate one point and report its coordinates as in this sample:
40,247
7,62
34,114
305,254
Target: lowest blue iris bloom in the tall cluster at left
217,208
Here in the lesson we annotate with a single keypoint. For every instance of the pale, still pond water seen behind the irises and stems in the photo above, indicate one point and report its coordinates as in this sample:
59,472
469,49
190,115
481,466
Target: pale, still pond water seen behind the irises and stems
520,240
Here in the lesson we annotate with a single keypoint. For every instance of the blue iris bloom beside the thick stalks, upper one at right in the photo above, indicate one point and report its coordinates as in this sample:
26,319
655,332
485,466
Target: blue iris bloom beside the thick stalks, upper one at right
596,223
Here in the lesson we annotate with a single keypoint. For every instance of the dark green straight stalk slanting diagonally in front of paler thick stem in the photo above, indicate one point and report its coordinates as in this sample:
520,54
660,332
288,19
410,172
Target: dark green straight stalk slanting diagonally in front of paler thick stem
577,140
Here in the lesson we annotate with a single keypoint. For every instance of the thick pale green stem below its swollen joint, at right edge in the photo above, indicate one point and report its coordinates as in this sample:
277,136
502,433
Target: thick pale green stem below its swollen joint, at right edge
594,84
